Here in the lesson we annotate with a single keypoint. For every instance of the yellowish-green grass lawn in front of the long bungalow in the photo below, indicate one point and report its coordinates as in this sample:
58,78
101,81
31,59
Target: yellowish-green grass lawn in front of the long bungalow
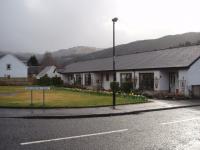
15,96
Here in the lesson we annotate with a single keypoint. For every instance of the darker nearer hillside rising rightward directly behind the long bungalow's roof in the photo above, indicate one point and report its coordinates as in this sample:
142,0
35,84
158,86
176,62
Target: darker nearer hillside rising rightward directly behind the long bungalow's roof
145,45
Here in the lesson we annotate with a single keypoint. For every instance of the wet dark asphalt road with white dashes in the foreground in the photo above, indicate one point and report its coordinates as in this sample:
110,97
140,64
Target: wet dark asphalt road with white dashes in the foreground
173,129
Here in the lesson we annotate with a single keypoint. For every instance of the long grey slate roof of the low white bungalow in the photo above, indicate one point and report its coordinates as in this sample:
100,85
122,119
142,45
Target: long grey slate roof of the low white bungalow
168,58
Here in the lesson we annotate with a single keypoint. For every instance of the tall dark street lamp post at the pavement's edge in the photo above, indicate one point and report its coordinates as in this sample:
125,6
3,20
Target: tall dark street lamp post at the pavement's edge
114,72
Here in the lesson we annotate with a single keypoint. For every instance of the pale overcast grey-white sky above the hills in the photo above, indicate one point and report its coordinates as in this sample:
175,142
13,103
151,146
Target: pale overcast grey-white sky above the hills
48,25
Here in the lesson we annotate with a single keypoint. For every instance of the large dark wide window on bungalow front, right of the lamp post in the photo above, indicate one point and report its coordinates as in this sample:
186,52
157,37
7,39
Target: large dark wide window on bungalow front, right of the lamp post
146,81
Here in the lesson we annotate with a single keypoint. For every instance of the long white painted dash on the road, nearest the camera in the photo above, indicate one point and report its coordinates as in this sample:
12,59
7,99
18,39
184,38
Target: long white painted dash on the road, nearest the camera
74,137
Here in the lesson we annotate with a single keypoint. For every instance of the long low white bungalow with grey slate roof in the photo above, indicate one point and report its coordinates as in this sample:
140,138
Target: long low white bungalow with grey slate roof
175,70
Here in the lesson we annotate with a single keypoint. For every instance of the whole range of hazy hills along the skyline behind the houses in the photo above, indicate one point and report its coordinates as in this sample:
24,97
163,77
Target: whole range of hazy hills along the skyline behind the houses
82,53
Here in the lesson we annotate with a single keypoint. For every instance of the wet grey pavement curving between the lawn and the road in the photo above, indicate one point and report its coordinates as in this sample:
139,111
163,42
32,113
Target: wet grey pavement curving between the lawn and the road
153,105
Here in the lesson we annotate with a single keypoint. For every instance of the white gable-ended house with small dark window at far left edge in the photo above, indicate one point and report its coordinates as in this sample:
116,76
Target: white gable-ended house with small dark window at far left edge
12,67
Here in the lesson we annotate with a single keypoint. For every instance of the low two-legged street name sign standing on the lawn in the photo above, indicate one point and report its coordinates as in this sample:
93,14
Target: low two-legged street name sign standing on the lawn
34,88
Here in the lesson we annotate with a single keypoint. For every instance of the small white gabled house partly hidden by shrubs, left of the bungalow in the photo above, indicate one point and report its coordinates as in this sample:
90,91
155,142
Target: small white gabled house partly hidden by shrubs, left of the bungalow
50,71
